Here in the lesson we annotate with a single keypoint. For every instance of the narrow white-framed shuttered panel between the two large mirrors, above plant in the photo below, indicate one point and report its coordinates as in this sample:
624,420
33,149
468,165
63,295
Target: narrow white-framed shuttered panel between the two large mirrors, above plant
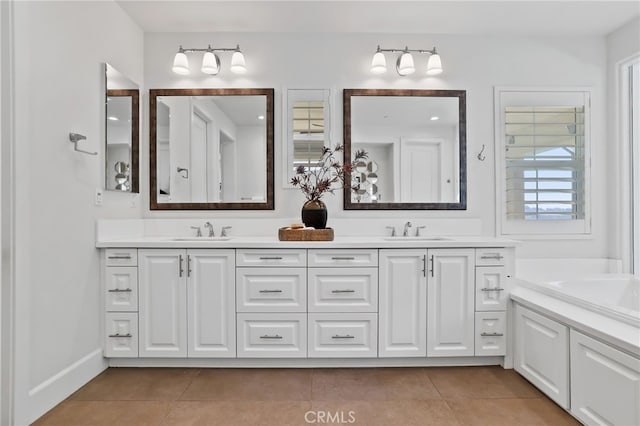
308,127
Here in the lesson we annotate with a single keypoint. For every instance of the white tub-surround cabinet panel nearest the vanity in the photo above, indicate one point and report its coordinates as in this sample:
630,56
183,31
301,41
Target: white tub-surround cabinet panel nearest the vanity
541,354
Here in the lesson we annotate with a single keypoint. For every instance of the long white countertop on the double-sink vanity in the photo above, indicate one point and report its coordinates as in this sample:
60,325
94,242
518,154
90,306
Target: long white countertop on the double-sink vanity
273,242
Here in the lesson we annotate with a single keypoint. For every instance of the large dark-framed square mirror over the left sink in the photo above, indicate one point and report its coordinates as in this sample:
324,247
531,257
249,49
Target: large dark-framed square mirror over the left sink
211,149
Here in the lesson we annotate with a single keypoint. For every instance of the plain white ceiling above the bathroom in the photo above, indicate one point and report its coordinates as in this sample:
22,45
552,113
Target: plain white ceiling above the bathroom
512,17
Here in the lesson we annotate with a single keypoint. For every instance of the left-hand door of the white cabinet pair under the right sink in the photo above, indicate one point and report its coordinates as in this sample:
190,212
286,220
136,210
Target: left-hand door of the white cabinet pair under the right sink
402,303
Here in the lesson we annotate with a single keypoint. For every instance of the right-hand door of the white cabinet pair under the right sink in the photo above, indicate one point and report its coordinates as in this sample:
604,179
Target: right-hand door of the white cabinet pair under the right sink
451,304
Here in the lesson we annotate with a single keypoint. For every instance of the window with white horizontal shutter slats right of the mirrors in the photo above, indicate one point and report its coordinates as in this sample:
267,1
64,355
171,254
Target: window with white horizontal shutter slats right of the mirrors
545,162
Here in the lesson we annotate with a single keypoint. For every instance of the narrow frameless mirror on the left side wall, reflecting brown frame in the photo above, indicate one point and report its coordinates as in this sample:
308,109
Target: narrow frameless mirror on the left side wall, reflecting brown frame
122,109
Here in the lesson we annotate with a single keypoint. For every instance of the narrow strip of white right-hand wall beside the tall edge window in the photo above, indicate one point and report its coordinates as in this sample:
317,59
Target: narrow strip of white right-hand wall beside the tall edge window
622,45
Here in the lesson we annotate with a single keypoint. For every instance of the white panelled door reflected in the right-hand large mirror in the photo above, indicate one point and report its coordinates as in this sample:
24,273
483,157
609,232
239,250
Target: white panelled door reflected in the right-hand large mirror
420,172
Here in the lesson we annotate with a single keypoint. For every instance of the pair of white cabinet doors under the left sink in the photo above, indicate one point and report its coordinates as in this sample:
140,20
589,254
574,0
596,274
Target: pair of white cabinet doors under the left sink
186,303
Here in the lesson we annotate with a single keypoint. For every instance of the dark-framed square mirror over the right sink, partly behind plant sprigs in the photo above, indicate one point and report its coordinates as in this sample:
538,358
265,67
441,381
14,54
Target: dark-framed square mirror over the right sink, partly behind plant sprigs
416,145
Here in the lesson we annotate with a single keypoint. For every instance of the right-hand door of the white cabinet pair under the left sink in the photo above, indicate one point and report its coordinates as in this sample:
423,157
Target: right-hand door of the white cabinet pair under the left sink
210,303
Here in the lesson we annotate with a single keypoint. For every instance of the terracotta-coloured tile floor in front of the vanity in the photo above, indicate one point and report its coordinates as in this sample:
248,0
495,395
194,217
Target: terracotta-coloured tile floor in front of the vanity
363,396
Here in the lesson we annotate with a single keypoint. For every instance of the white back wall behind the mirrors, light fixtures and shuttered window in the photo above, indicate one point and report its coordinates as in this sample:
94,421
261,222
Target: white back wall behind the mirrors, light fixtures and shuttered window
473,63
